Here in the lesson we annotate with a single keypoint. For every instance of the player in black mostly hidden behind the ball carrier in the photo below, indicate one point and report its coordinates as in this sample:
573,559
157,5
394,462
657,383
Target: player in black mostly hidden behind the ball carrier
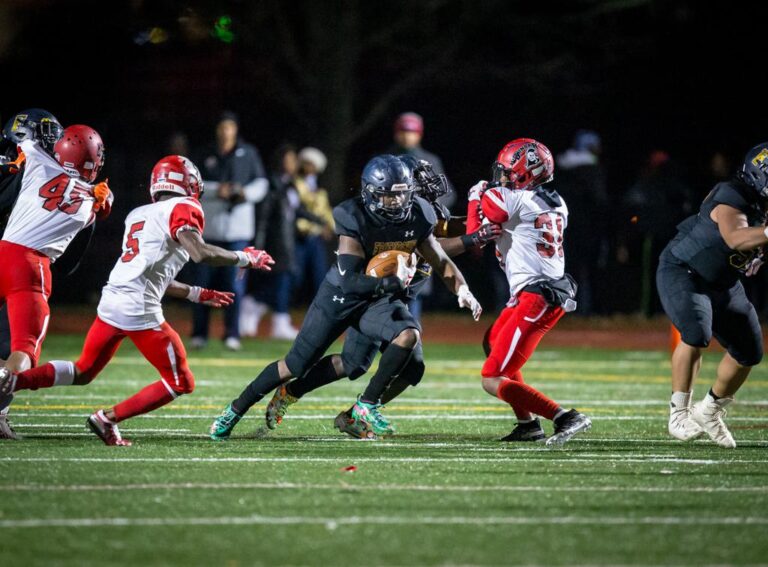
360,350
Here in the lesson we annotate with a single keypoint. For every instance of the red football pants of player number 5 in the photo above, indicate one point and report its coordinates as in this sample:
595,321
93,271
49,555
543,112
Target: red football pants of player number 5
162,347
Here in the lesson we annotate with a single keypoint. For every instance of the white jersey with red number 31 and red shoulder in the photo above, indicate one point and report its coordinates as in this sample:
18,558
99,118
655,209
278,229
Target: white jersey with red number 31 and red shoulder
530,248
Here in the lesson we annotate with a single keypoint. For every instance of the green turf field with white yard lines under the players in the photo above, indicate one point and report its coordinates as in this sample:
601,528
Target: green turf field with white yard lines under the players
442,492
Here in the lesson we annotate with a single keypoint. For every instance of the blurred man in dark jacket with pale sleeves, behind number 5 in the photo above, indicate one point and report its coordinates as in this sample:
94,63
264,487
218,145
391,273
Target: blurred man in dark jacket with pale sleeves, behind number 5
234,181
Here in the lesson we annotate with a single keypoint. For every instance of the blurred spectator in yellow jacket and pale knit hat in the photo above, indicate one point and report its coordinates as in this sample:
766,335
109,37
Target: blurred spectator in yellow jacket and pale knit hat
312,238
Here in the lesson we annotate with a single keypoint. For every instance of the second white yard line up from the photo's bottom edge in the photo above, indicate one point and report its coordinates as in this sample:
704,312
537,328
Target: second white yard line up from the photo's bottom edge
372,487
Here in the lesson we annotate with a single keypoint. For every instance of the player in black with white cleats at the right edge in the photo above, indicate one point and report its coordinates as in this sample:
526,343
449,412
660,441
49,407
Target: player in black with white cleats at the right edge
698,282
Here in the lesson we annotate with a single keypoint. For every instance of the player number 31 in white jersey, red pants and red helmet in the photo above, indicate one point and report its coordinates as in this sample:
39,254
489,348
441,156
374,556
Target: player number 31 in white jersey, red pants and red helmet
533,219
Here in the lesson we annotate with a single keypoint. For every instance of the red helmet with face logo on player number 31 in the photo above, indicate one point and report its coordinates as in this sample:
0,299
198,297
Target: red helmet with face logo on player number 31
525,163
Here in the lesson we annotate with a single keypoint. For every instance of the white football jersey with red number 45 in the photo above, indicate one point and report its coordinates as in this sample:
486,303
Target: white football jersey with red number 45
52,207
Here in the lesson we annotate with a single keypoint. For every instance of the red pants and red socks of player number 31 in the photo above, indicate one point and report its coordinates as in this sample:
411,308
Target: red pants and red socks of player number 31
513,339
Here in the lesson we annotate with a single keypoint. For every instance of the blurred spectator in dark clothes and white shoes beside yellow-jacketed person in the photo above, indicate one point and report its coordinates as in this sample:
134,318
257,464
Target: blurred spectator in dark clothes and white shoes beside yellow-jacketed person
276,230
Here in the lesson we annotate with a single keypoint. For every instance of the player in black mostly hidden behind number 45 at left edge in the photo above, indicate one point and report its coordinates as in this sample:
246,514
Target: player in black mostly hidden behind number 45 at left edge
35,124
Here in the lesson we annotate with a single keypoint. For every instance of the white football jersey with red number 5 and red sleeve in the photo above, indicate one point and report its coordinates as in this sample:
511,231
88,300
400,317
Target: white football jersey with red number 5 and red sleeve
152,257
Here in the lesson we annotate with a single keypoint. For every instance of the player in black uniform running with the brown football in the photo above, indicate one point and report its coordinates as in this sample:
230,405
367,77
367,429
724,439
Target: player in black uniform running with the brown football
386,216
